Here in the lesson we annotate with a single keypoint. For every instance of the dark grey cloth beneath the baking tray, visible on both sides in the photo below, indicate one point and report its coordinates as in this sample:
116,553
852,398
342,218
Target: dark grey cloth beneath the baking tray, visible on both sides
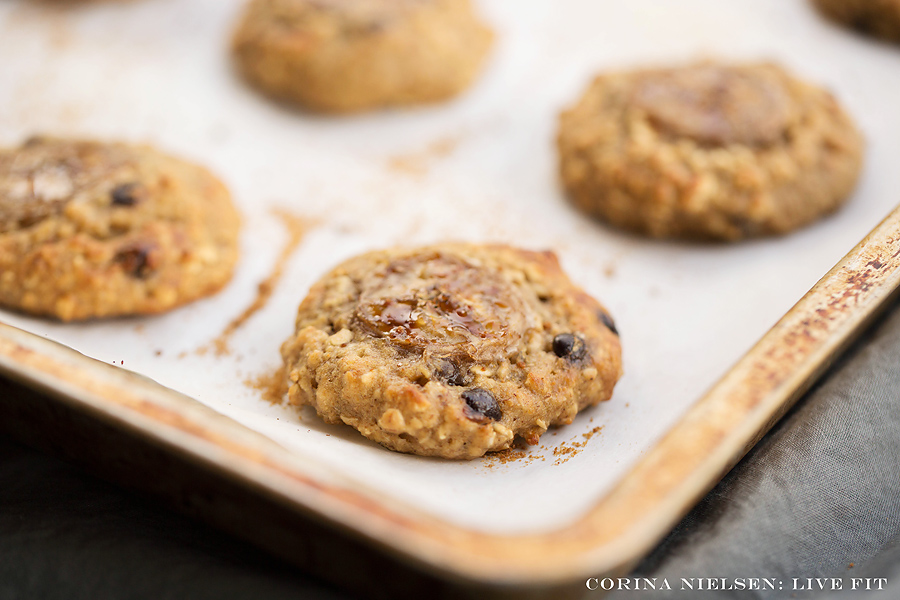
819,492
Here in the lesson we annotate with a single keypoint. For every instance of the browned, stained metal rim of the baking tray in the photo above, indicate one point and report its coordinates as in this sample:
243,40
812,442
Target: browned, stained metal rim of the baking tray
620,527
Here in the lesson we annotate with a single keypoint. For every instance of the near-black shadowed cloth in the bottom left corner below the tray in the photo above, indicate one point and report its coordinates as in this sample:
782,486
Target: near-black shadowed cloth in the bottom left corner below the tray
67,535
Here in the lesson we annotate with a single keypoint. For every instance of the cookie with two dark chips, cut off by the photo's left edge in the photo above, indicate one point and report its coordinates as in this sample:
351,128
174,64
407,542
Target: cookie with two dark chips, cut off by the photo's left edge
90,229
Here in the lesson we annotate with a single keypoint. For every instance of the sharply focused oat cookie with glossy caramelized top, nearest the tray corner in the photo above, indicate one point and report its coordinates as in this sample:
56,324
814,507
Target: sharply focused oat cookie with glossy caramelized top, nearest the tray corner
451,350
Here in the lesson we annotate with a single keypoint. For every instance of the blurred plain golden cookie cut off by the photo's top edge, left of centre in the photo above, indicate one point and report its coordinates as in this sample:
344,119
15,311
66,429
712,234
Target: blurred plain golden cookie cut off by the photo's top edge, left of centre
352,55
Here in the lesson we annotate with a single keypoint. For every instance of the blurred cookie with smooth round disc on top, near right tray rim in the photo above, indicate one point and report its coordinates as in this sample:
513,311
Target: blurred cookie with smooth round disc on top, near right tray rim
708,151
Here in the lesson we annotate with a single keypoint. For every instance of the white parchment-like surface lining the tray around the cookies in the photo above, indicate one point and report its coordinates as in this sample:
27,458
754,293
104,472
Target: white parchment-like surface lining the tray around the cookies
479,168
